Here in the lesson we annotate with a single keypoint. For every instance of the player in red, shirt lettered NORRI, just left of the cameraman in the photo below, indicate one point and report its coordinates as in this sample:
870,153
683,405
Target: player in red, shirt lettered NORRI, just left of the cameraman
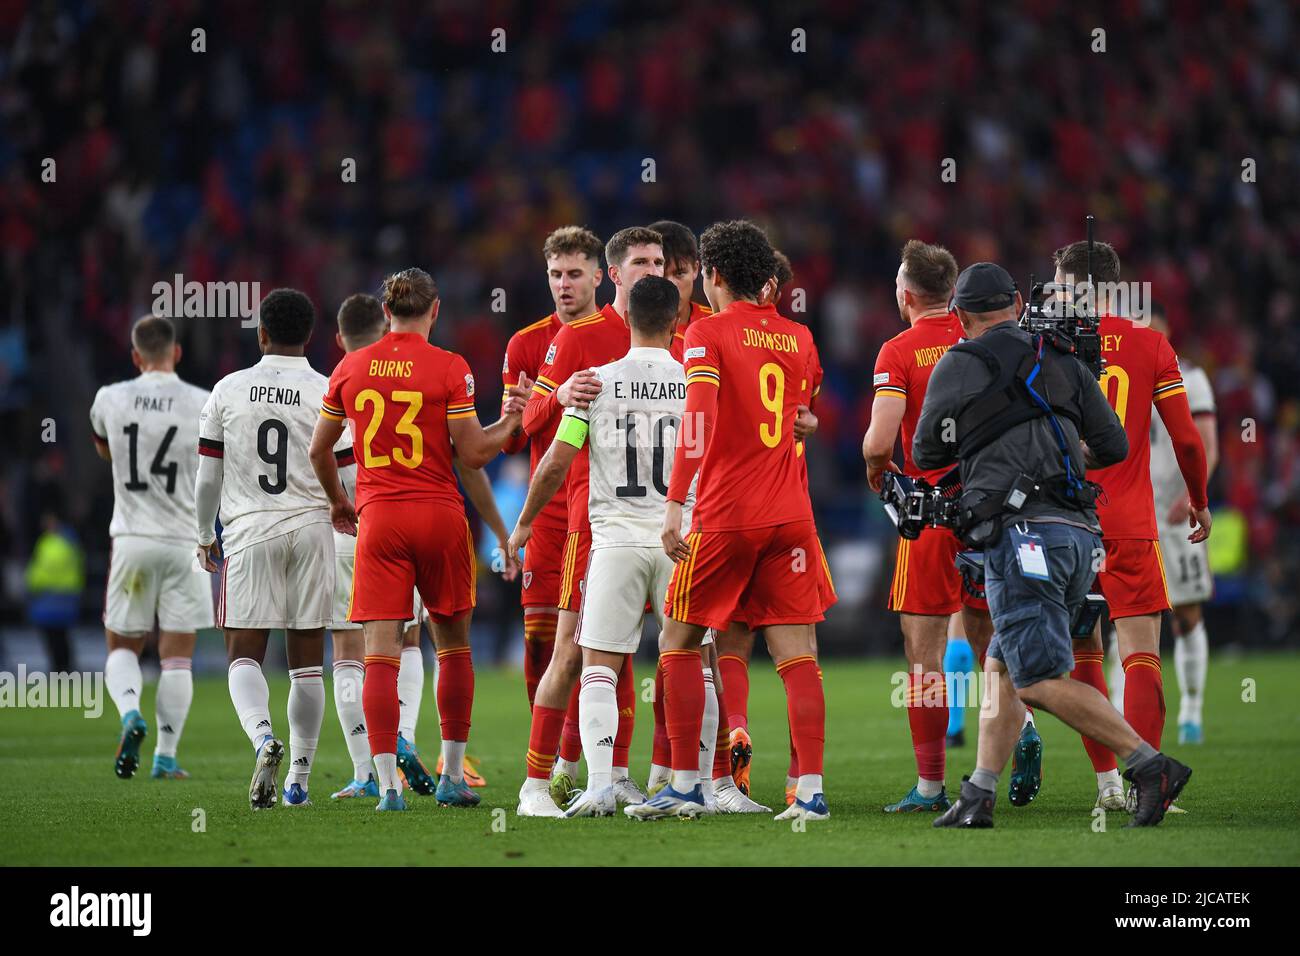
928,589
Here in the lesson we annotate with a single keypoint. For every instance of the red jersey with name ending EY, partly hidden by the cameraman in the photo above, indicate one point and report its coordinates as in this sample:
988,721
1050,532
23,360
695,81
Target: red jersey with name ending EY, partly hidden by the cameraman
1142,370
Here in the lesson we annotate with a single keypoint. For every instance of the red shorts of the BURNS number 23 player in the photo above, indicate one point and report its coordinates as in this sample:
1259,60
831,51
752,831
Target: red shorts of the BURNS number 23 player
413,544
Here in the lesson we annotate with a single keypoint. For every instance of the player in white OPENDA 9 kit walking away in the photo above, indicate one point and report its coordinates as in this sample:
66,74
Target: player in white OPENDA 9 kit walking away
276,534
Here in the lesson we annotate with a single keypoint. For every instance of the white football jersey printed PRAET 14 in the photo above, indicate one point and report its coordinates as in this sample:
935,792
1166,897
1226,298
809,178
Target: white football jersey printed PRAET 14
151,425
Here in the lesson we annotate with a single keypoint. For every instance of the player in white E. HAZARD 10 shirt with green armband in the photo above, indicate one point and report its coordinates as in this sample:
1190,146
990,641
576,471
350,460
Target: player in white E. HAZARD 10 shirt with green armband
630,431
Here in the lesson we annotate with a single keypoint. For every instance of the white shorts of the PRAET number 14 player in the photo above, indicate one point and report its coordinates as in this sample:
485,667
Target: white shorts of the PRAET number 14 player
150,578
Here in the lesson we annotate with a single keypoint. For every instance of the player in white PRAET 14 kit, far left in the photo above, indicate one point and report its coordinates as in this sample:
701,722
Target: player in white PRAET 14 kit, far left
149,429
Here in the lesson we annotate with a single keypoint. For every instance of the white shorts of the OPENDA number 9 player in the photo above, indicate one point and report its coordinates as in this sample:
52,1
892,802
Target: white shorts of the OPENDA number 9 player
284,582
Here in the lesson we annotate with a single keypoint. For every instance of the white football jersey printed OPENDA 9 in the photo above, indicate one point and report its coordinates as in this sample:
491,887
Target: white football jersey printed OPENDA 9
261,423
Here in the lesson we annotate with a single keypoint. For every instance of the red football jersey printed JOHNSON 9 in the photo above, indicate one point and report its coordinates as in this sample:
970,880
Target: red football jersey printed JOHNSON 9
751,475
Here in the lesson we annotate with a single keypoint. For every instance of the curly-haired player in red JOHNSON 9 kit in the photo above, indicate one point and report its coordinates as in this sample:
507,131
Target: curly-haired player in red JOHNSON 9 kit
751,551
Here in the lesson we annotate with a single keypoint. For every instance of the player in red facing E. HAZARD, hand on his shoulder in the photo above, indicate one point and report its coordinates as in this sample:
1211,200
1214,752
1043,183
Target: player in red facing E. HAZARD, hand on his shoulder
566,379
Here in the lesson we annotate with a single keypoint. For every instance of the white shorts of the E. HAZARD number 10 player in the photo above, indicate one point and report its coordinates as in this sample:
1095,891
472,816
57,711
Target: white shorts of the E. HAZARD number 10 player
619,582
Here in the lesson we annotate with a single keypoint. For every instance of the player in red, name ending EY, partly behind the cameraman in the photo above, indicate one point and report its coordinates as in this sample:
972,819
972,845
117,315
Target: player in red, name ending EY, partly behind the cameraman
1142,371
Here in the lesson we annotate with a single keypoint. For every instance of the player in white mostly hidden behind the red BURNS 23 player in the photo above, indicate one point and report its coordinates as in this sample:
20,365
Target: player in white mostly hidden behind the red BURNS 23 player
362,323
